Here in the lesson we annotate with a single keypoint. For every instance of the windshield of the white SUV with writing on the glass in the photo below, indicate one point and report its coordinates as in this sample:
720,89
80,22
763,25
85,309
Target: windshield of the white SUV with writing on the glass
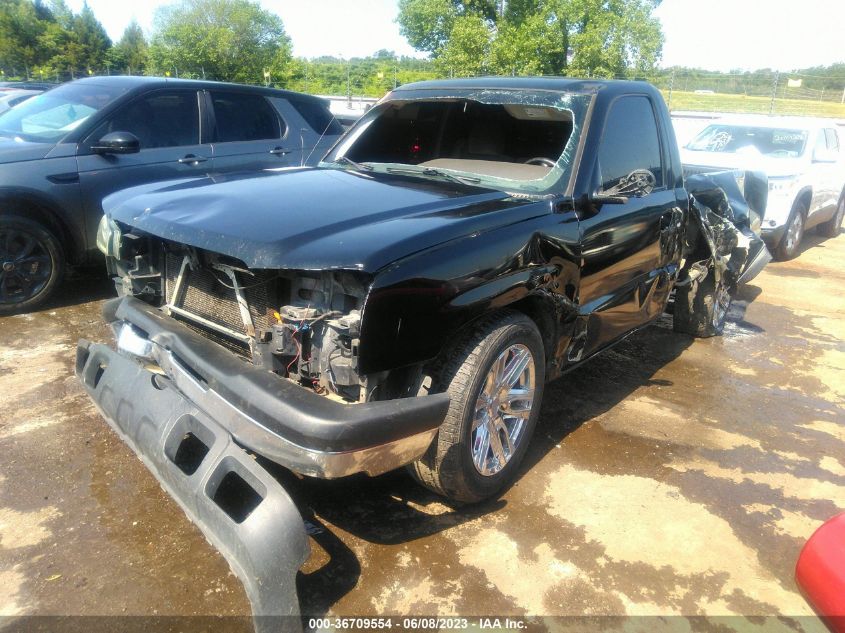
730,139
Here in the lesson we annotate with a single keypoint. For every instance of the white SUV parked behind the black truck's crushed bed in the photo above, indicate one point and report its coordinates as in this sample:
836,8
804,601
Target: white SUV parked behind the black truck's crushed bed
805,163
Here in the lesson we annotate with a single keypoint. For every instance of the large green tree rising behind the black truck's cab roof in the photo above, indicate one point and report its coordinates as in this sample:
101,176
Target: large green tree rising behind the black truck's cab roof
588,38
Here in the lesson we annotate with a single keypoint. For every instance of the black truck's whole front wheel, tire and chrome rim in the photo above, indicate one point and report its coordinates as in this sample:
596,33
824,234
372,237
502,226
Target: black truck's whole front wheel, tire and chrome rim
495,379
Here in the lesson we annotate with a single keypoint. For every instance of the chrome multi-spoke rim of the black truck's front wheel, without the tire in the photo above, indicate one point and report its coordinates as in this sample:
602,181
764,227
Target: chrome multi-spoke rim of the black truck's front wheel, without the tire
502,409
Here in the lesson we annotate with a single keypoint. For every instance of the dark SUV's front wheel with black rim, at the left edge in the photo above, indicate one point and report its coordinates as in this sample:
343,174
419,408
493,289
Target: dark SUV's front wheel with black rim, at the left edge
32,264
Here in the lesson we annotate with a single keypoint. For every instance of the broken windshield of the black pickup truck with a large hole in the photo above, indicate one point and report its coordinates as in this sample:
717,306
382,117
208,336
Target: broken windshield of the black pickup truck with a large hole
511,141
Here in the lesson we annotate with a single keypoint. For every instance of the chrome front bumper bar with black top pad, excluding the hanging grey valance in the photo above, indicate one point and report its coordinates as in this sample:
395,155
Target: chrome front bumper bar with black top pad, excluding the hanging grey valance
301,430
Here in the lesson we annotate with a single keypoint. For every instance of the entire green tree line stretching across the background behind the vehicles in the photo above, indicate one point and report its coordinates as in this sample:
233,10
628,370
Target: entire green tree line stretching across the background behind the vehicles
238,40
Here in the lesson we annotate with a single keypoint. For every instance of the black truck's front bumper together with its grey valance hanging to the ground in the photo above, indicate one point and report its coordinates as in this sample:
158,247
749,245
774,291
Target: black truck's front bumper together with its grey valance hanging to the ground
190,409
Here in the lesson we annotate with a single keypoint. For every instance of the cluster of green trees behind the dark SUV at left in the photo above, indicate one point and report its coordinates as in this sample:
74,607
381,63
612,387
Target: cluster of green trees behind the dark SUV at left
232,40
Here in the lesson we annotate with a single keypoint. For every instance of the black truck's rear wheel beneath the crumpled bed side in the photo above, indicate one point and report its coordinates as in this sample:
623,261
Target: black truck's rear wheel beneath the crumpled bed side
702,315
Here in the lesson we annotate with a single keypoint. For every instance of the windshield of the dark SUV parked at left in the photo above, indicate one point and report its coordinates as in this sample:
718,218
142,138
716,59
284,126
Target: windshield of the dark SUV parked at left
51,116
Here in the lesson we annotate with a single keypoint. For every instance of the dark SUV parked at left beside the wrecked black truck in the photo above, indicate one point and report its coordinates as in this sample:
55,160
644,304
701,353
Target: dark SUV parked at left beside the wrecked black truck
63,151
